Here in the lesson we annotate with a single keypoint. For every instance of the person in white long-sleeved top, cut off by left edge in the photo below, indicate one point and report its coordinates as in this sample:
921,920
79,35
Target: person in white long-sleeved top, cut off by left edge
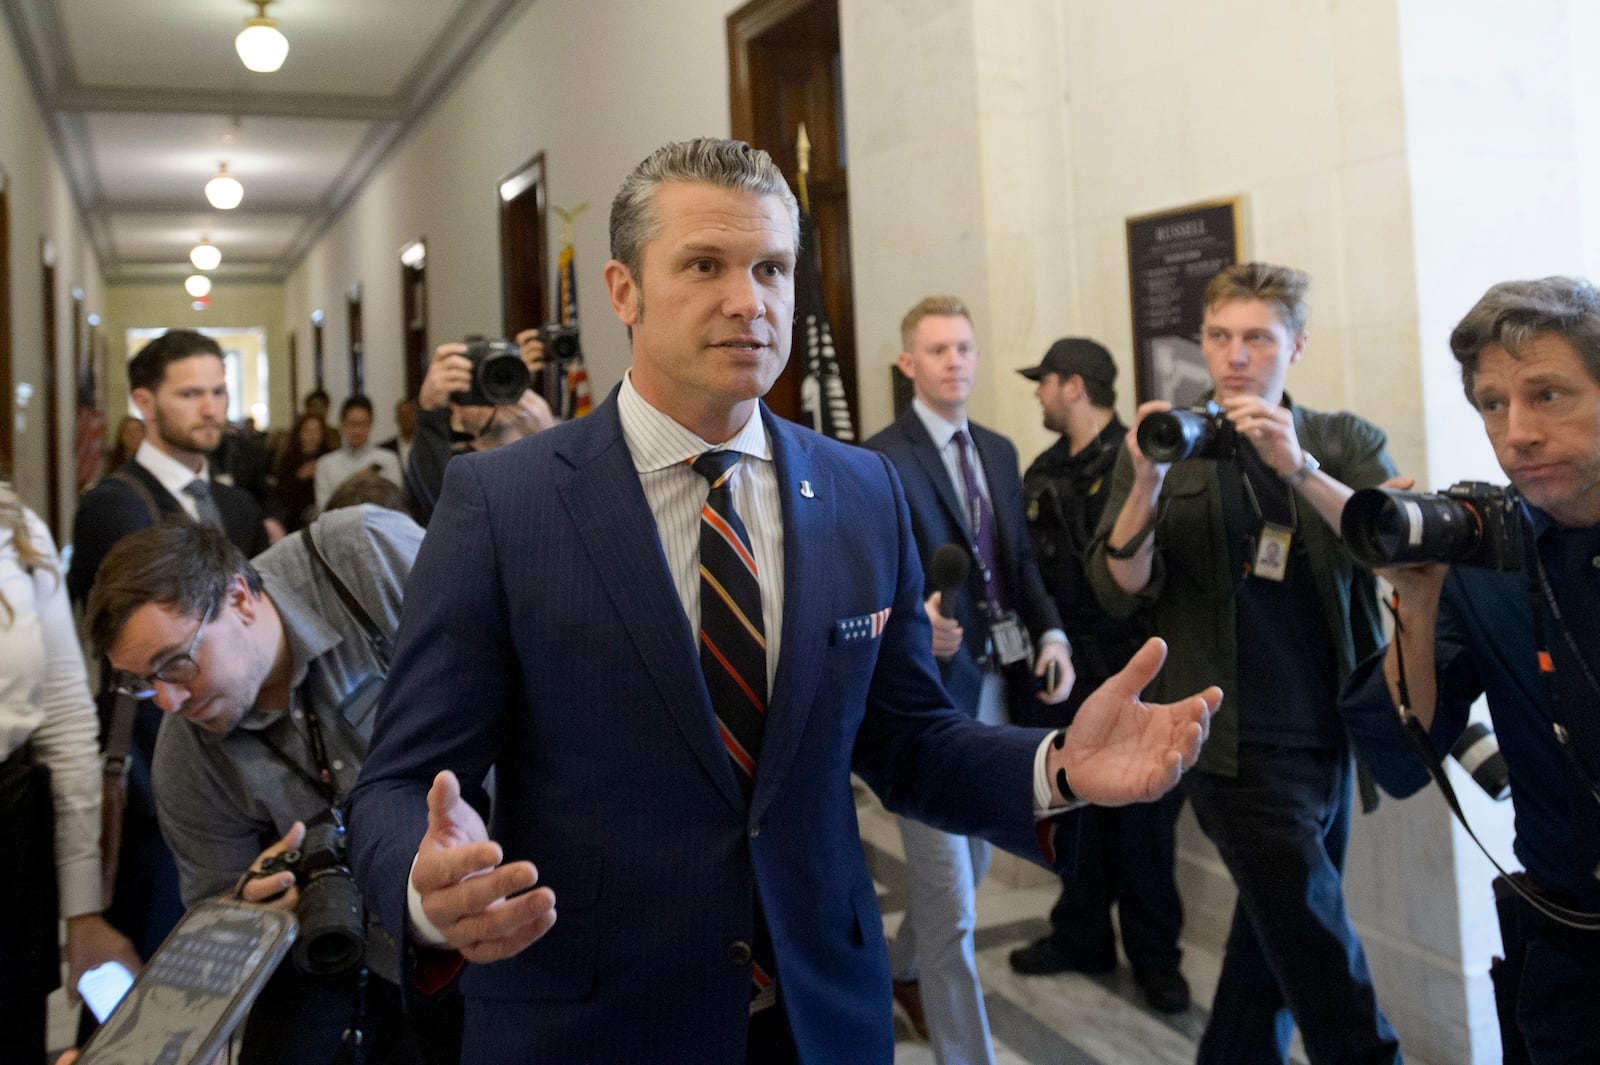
47,719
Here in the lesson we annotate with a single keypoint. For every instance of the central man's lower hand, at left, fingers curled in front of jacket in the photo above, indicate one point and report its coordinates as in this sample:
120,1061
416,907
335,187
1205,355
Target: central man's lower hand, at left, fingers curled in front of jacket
484,909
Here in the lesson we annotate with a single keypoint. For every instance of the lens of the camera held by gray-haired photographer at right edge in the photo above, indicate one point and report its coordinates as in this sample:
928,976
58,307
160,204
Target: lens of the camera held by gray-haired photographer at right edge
1385,527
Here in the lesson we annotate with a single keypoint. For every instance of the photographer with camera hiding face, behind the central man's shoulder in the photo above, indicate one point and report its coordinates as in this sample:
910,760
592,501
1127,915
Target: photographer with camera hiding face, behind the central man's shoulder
478,396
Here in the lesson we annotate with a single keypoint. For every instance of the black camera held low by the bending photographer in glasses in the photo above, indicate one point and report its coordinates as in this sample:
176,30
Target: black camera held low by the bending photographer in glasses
330,912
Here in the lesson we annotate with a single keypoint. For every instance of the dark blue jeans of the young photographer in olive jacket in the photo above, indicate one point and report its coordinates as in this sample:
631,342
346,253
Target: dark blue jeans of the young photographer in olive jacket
1282,828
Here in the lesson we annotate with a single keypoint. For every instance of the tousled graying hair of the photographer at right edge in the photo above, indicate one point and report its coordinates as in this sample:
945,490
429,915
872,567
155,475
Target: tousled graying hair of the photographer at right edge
1511,314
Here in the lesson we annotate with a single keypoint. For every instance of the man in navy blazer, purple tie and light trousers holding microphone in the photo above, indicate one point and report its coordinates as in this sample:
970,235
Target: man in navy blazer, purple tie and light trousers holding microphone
964,489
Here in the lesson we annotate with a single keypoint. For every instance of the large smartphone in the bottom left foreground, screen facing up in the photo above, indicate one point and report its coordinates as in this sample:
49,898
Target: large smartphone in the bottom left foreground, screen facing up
196,989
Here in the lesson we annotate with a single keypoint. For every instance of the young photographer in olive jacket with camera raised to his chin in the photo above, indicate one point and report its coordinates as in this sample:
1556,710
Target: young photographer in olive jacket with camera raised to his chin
1234,546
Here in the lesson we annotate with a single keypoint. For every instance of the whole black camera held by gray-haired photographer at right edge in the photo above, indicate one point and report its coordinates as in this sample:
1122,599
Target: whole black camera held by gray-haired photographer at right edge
1471,522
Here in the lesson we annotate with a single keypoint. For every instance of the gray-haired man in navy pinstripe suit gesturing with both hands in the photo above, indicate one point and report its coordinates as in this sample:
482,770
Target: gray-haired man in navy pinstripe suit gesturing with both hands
551,634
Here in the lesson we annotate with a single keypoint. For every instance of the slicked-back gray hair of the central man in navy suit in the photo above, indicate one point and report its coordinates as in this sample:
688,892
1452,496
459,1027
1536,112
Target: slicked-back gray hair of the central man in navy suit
730,166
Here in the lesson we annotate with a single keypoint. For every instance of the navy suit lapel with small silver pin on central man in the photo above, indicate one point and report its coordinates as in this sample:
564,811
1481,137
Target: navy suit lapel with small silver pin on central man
810,521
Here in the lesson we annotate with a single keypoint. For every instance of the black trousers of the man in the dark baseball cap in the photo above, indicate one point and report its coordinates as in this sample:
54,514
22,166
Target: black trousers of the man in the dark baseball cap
1126,856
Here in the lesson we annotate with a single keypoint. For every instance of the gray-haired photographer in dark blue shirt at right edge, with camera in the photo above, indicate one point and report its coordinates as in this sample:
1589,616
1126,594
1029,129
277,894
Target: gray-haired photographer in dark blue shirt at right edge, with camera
1500,596
